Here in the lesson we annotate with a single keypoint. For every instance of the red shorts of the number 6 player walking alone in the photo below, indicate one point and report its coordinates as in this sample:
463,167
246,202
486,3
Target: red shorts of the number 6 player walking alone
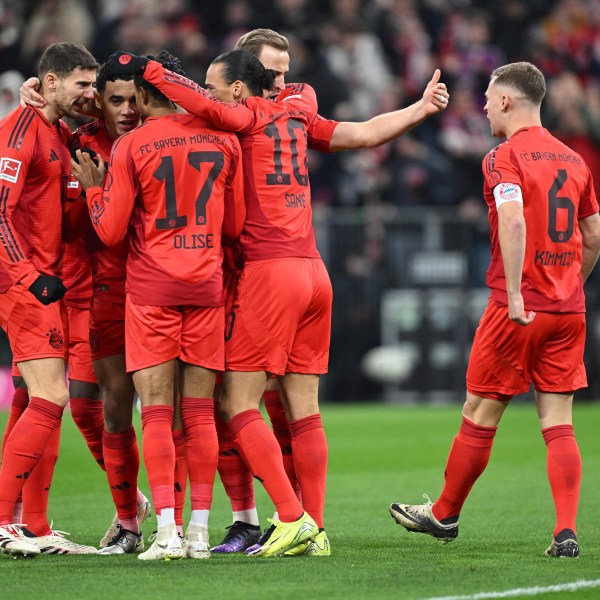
506,357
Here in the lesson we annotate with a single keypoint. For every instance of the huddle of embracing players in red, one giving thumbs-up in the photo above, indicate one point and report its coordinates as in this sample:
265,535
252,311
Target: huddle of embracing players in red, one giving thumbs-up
156,249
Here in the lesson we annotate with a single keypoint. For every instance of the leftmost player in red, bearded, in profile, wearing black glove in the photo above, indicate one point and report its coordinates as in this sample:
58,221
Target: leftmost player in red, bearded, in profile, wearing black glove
34,169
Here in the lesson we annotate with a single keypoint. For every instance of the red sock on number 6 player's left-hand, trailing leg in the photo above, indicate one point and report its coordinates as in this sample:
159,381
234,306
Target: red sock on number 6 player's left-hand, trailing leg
467,460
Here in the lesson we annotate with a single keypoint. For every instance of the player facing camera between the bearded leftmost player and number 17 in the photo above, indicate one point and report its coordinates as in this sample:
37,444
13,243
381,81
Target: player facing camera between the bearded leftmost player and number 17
112,429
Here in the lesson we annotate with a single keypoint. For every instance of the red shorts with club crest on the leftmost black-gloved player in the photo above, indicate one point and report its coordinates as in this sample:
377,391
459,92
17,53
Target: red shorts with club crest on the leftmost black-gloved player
33,330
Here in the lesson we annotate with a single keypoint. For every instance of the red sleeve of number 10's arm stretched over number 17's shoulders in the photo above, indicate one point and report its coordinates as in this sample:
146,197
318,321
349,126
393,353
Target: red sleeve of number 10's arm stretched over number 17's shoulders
197,101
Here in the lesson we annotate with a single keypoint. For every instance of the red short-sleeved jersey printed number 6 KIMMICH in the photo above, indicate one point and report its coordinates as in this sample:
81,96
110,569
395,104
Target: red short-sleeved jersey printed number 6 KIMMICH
557,190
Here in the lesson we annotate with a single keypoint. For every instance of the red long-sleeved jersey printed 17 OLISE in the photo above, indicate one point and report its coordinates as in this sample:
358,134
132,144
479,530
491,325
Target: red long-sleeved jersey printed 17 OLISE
178,186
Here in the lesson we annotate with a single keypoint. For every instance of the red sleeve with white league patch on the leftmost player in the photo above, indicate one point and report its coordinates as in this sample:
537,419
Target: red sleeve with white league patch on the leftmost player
17,146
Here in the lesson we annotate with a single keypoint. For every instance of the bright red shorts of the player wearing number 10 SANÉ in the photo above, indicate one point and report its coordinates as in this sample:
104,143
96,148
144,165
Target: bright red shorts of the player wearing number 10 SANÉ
280,321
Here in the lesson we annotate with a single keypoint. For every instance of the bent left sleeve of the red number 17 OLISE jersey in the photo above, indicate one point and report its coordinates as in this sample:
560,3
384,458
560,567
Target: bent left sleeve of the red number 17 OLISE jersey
110,208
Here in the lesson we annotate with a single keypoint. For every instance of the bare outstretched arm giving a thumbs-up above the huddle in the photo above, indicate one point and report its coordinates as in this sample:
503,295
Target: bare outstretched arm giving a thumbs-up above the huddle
386,127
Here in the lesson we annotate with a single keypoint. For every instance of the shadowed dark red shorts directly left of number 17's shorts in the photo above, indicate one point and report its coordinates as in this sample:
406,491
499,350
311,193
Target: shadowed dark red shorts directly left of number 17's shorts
107,328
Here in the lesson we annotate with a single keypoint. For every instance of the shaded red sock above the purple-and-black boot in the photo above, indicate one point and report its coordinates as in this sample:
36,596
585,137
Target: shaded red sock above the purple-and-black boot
233,471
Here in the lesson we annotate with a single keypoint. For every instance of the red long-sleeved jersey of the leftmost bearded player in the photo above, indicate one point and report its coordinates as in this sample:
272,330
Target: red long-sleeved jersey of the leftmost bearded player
34,168
